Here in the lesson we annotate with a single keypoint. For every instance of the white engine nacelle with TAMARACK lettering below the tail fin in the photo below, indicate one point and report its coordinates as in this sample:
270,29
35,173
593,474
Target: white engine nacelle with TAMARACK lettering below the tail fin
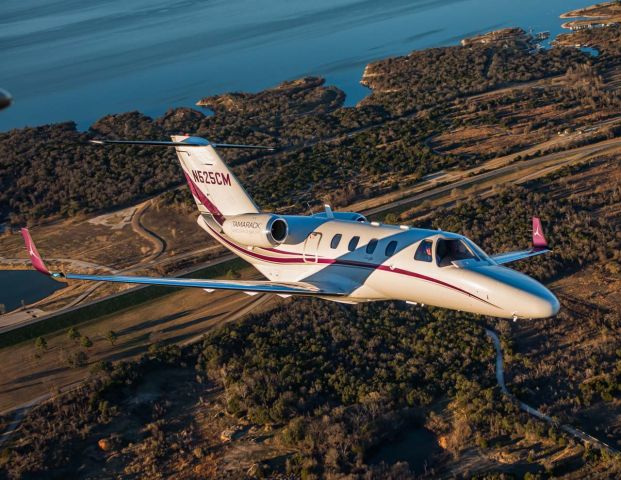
261,230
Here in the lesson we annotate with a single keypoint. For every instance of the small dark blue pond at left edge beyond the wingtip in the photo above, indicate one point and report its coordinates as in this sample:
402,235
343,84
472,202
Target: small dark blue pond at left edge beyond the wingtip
27,285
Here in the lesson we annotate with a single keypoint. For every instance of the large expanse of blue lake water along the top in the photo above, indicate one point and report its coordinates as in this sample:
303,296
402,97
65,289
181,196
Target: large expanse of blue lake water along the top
80,59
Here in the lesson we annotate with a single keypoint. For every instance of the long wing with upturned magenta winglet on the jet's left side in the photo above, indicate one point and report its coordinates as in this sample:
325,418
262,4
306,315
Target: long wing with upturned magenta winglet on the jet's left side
281,288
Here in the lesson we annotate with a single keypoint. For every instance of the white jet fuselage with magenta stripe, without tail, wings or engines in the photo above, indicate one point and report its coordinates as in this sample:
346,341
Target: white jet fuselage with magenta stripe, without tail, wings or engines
382,266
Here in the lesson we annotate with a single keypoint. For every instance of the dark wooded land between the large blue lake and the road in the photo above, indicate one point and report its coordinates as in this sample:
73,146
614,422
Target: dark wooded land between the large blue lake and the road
293,117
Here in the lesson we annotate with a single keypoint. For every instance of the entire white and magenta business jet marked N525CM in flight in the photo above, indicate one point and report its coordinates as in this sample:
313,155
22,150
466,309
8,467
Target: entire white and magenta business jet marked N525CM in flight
339,256
